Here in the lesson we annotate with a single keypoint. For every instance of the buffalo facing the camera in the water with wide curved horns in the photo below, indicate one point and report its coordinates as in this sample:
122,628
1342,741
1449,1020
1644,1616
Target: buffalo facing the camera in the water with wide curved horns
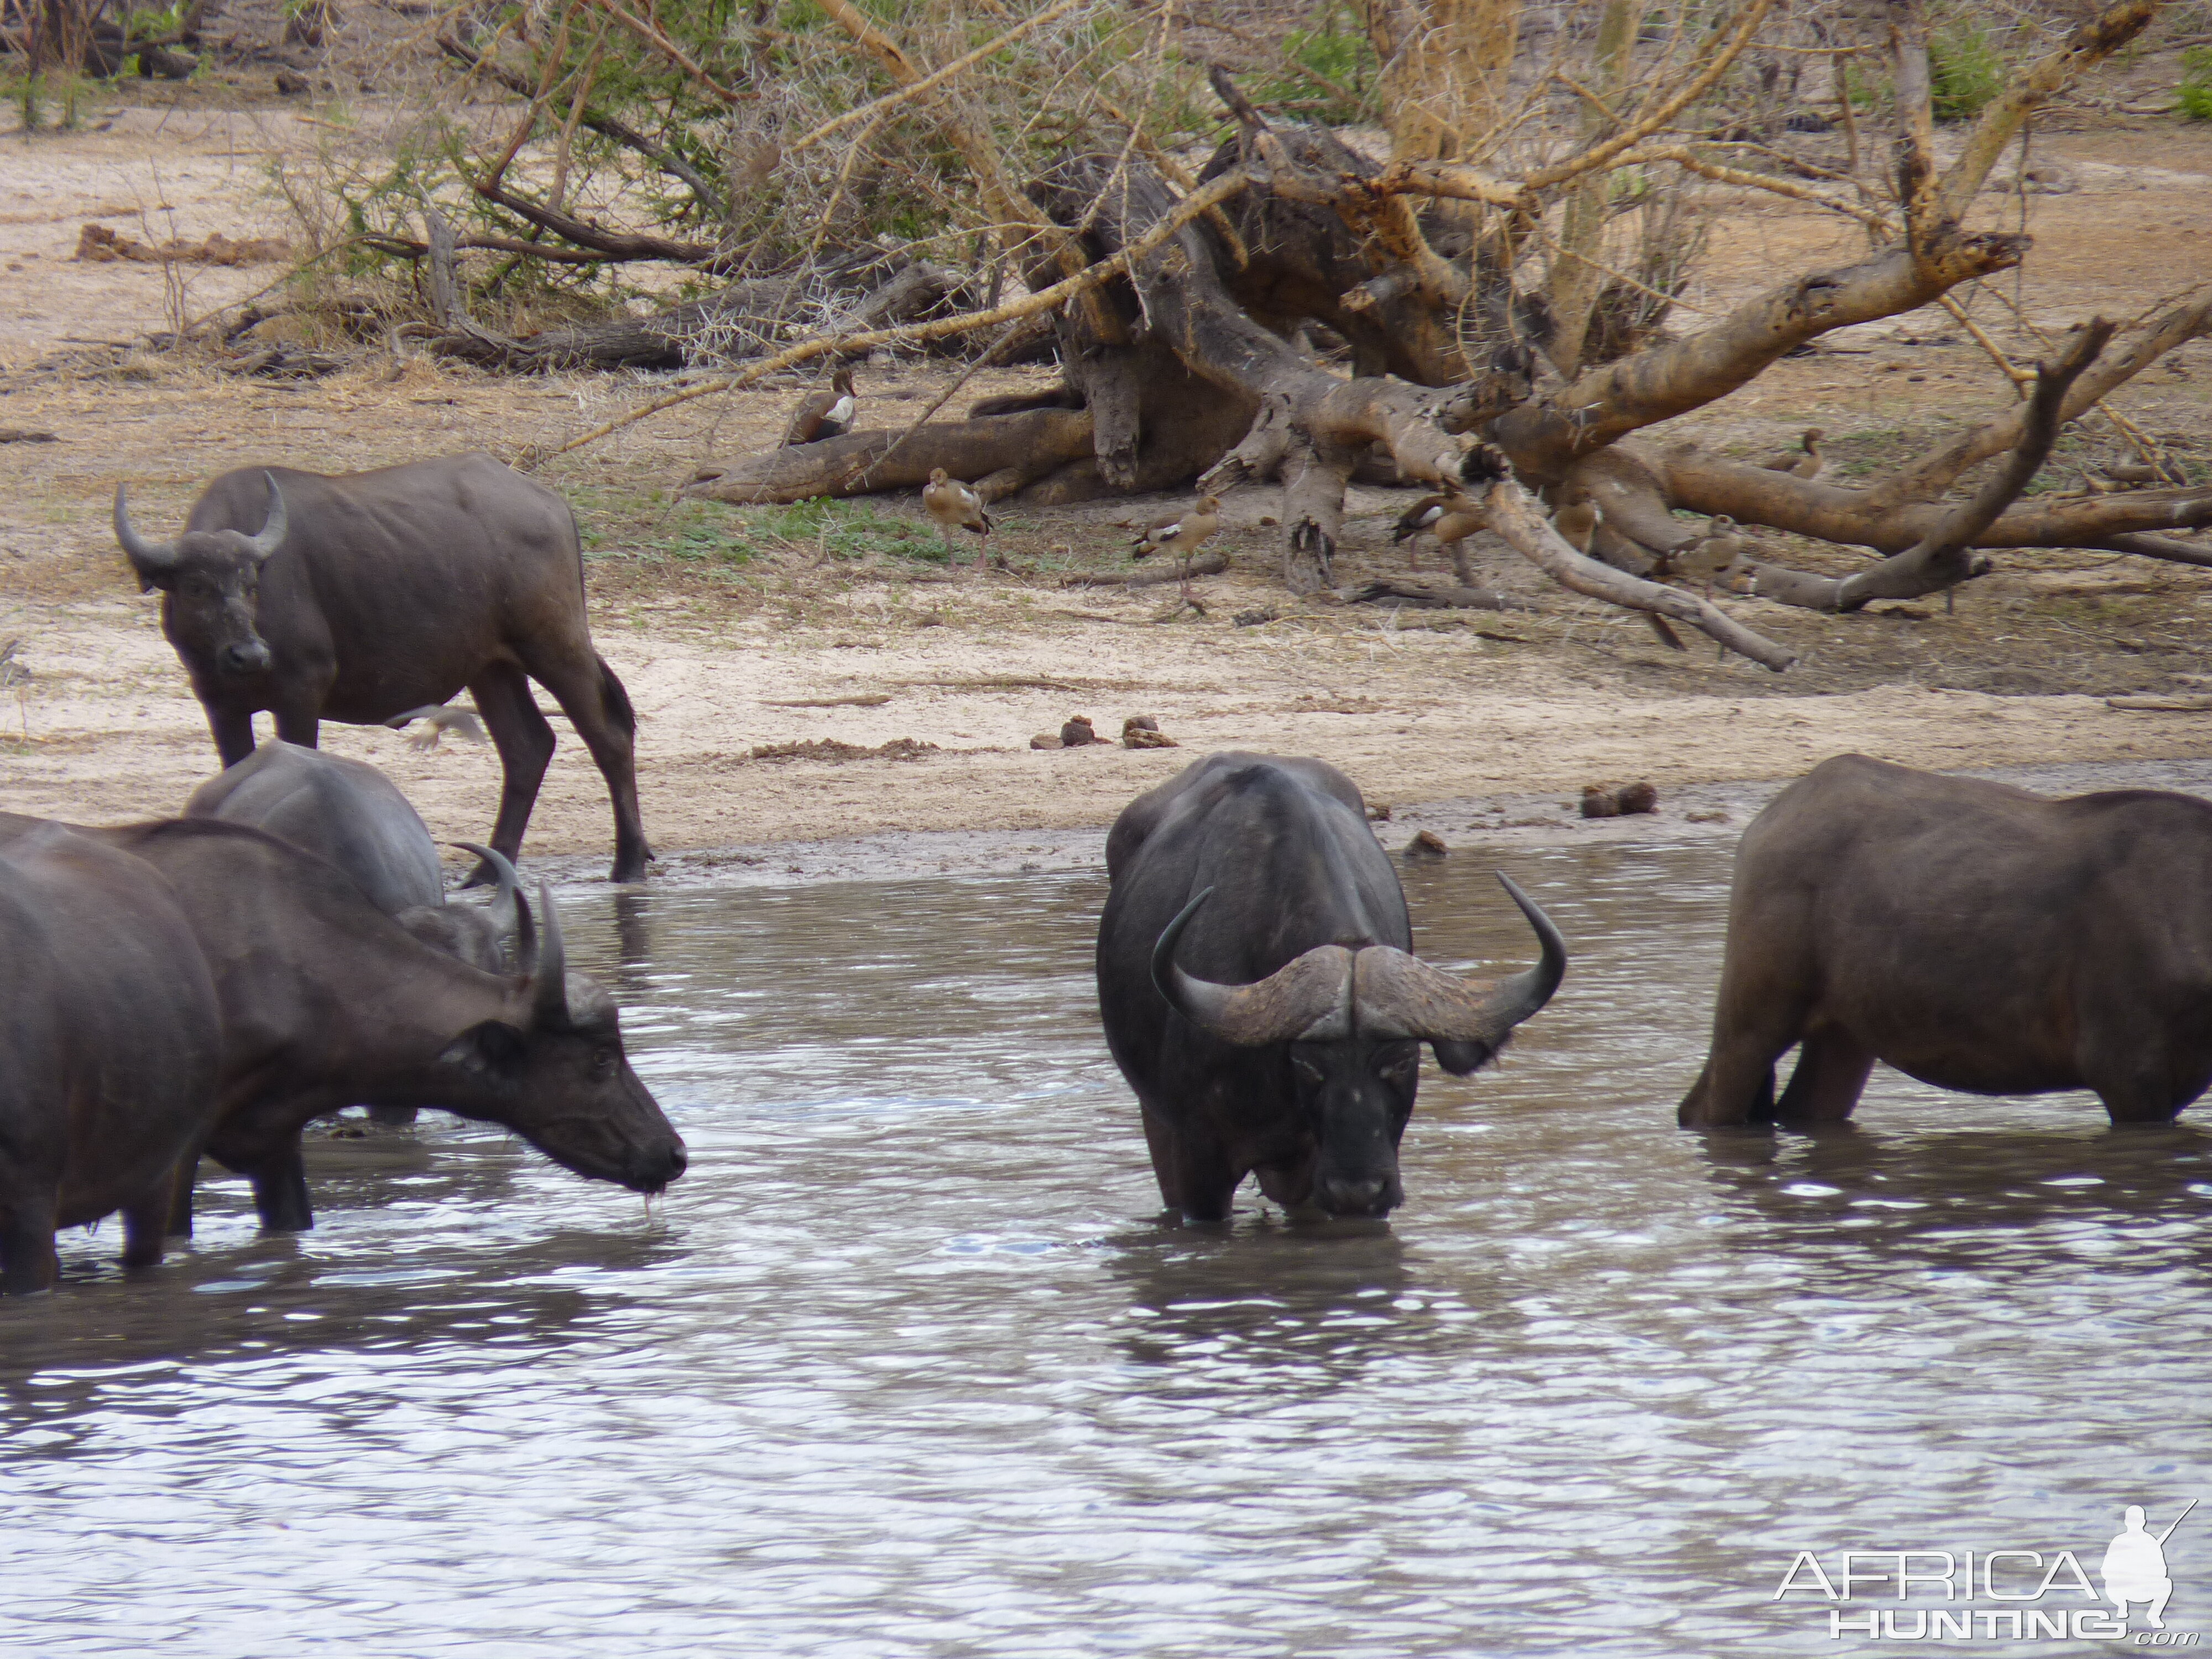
1260,994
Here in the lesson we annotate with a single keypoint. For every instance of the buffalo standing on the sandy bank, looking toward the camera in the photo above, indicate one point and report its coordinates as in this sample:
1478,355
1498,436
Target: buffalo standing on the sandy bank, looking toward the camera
366,596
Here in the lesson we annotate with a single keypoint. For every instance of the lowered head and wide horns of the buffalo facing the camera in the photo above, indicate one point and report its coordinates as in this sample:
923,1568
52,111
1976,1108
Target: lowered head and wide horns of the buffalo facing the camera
1353,1023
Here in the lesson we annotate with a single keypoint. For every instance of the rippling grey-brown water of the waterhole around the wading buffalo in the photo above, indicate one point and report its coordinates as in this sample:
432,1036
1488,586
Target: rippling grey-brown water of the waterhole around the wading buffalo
908,1366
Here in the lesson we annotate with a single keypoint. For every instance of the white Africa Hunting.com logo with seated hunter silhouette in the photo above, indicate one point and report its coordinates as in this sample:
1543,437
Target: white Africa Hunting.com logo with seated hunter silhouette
2001,1596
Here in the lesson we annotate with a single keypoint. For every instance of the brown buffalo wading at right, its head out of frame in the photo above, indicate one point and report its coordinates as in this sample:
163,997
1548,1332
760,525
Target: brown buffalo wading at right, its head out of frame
1970,935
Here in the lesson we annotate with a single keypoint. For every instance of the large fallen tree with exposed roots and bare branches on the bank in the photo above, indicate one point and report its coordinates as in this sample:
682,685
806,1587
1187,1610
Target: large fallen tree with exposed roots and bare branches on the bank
1191,371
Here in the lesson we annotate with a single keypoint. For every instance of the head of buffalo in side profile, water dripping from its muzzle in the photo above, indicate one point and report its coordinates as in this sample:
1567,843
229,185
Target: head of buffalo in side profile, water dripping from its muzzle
554,1067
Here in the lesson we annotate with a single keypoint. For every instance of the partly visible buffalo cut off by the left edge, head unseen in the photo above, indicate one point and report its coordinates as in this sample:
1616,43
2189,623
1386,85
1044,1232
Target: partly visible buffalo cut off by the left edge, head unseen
109,1047
